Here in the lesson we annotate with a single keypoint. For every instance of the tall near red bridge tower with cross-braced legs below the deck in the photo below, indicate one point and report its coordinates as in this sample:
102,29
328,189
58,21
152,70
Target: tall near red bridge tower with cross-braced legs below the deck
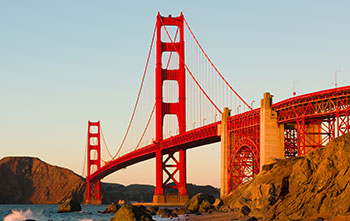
163,108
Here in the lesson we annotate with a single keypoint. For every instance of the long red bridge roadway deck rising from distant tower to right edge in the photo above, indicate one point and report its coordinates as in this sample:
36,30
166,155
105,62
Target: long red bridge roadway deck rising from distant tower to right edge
318,105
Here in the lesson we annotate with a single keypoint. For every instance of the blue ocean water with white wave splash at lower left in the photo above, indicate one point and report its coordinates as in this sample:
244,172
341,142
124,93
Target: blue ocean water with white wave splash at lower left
49,213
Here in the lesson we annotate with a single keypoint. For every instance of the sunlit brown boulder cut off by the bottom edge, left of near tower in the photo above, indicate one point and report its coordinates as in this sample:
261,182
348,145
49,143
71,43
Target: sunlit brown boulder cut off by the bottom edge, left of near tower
131,213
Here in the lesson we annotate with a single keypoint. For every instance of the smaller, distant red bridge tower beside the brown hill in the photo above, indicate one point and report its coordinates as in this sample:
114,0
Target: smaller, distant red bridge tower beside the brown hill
93,160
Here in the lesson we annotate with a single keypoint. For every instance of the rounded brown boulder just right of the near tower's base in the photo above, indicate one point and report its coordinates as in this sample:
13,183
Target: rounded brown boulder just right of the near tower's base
194,204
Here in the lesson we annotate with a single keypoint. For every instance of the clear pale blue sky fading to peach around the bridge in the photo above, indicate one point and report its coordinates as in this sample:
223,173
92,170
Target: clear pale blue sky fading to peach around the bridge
63,63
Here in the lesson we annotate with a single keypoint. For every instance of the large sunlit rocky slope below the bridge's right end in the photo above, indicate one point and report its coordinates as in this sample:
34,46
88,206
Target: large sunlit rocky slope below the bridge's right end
315,185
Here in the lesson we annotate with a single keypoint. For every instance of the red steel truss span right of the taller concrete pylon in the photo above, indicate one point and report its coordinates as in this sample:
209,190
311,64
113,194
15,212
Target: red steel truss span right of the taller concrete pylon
316,118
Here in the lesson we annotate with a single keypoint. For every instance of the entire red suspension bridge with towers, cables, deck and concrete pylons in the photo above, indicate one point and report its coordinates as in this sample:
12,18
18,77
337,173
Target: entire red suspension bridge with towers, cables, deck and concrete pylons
193,107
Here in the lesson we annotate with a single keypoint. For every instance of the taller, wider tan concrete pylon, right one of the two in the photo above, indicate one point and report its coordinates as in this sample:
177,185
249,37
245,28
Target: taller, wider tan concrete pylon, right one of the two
271,134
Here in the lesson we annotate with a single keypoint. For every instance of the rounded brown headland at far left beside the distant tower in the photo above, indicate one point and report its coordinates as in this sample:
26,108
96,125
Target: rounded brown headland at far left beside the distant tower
29,180
